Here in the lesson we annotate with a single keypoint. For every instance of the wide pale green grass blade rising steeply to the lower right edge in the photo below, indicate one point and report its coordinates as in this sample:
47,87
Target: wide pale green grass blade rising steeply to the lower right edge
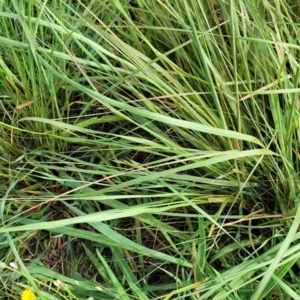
260,291
